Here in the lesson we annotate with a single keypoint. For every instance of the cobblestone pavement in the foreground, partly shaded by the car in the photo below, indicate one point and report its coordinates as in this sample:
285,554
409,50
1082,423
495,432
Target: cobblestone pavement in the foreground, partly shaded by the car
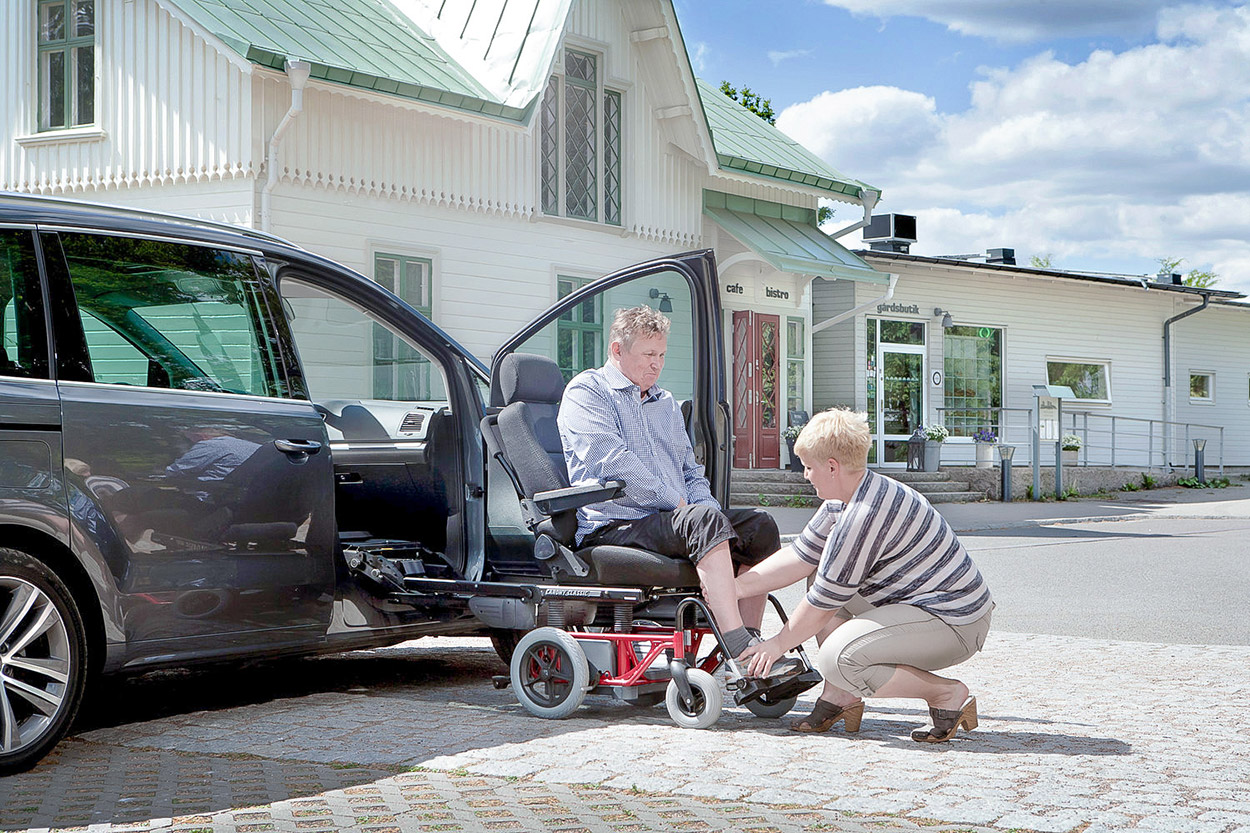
1077,735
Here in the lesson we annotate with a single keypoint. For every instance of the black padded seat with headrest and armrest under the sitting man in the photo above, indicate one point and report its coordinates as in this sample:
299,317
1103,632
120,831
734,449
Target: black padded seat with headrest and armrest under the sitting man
524,437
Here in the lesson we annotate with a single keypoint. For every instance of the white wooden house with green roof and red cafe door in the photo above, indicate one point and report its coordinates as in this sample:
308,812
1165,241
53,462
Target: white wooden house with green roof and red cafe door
482,159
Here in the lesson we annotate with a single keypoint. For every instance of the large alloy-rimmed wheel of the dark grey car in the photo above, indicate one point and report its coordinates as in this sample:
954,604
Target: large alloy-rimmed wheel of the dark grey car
43,661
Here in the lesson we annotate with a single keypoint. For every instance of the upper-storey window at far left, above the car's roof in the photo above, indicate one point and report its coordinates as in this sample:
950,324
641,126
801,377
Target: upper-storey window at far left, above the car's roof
67,64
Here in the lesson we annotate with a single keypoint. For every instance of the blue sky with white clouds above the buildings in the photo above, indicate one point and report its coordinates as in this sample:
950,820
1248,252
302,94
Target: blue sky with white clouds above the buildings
1104,134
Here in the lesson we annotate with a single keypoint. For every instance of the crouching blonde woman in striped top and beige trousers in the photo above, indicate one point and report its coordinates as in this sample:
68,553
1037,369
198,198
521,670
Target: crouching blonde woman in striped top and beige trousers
893,596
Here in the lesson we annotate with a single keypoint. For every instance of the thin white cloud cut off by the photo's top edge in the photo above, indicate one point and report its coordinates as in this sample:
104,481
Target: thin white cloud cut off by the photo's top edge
1022,21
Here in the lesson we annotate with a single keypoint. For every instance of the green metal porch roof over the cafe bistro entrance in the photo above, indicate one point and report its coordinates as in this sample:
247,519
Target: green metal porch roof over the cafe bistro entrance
787,238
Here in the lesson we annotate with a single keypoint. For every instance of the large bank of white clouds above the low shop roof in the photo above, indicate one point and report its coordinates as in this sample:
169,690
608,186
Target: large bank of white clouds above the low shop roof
1111,163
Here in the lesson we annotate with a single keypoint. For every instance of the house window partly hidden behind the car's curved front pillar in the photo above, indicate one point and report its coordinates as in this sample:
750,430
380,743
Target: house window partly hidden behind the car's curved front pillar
401,373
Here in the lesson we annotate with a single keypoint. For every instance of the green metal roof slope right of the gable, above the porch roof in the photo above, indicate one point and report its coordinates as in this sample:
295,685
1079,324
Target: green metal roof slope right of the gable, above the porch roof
747,143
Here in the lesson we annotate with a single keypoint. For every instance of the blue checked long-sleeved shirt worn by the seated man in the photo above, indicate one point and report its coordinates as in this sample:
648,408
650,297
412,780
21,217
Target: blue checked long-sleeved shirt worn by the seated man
611,432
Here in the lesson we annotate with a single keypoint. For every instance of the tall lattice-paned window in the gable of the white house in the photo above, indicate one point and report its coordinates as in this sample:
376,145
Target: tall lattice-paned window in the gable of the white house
581,143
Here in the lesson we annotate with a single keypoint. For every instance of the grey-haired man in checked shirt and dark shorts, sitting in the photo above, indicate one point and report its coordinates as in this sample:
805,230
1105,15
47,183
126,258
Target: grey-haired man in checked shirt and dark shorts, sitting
618,425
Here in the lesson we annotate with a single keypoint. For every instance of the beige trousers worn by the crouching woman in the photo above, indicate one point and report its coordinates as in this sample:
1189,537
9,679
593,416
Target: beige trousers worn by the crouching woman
862,654
